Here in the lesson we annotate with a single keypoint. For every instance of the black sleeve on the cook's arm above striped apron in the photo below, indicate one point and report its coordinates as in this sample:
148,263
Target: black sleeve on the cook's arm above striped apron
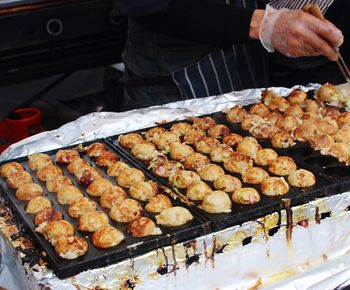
201,21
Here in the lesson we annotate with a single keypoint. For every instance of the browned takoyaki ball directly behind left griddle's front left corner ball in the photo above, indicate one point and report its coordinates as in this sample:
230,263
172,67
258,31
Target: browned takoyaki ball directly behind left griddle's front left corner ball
56,230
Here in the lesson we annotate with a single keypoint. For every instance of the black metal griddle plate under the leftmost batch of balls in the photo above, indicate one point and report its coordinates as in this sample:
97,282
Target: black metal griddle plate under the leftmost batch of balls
96,257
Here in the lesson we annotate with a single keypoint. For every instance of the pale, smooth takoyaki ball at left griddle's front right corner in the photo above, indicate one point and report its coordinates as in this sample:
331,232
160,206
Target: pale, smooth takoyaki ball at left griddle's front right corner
174,217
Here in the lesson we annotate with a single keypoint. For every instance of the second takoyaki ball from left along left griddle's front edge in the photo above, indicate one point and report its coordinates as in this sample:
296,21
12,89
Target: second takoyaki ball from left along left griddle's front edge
107,237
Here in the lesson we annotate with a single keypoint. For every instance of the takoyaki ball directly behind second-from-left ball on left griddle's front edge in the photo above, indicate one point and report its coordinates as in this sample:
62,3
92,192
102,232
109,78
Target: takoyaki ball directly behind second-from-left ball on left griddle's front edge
91,221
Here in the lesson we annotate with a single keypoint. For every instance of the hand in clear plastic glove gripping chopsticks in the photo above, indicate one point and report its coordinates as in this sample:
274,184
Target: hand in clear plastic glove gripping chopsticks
296,33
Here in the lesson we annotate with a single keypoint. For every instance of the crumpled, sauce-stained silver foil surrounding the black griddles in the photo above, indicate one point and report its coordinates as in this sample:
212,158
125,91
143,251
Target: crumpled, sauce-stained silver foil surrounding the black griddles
305,247
